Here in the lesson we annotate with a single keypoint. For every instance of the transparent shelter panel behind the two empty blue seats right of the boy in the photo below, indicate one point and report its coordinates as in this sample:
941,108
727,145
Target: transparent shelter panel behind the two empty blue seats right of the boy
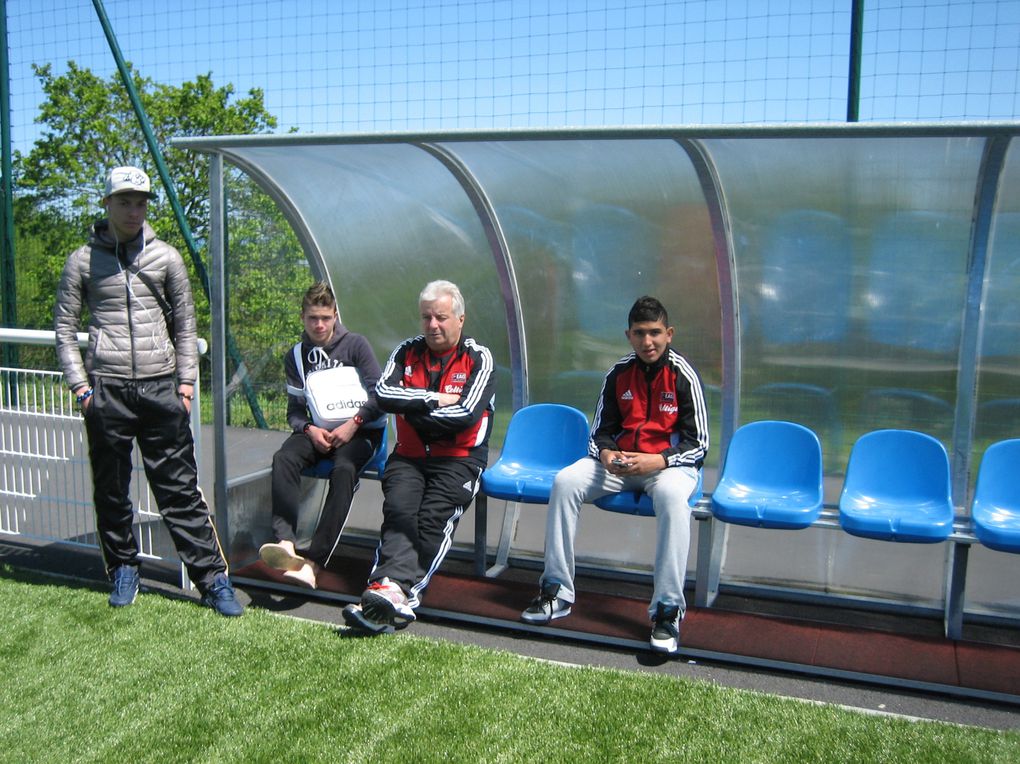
851,273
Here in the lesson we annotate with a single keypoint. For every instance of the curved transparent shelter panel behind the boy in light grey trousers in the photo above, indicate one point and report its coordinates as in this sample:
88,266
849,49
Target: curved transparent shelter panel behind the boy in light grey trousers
592,226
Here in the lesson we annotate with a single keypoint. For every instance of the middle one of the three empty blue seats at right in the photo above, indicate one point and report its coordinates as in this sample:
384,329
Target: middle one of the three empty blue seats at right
898,488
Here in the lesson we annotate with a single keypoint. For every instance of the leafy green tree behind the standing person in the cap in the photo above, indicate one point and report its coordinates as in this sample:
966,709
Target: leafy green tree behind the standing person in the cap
88,127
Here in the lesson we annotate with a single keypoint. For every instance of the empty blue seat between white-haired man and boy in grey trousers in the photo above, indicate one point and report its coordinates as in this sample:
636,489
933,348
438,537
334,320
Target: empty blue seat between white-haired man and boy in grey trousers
541,440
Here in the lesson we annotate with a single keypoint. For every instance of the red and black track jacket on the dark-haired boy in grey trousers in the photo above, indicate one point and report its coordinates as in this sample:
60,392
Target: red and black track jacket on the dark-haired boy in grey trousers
657,410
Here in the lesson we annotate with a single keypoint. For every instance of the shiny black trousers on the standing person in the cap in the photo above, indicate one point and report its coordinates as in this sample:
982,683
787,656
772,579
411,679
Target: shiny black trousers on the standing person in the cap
151,413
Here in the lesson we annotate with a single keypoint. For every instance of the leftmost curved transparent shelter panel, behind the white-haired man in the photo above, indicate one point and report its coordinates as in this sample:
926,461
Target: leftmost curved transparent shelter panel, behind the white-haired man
387,220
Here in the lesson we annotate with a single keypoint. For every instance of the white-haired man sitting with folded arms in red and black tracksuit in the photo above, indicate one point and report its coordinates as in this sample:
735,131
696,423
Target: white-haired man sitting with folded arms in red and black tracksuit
441,386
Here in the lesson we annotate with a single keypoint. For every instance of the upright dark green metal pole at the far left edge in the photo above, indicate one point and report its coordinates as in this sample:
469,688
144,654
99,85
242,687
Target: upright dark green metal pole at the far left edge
10,313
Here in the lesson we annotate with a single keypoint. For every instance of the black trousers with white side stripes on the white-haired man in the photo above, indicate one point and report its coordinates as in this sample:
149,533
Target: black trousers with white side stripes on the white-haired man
423,501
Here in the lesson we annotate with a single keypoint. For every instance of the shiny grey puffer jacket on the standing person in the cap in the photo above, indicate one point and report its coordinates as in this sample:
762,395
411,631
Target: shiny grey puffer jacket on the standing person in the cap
128,335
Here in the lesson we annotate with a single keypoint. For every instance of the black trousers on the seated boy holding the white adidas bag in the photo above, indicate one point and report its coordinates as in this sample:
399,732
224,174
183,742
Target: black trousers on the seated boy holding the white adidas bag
348,461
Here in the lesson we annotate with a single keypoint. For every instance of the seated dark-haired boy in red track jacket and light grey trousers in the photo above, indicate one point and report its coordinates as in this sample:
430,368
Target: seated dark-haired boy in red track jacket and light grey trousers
650,434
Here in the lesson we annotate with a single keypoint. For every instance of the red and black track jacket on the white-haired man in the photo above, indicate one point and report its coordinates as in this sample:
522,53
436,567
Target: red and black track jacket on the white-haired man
411,386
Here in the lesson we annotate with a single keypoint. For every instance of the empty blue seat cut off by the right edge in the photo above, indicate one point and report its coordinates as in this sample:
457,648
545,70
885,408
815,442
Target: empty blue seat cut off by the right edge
996,513
